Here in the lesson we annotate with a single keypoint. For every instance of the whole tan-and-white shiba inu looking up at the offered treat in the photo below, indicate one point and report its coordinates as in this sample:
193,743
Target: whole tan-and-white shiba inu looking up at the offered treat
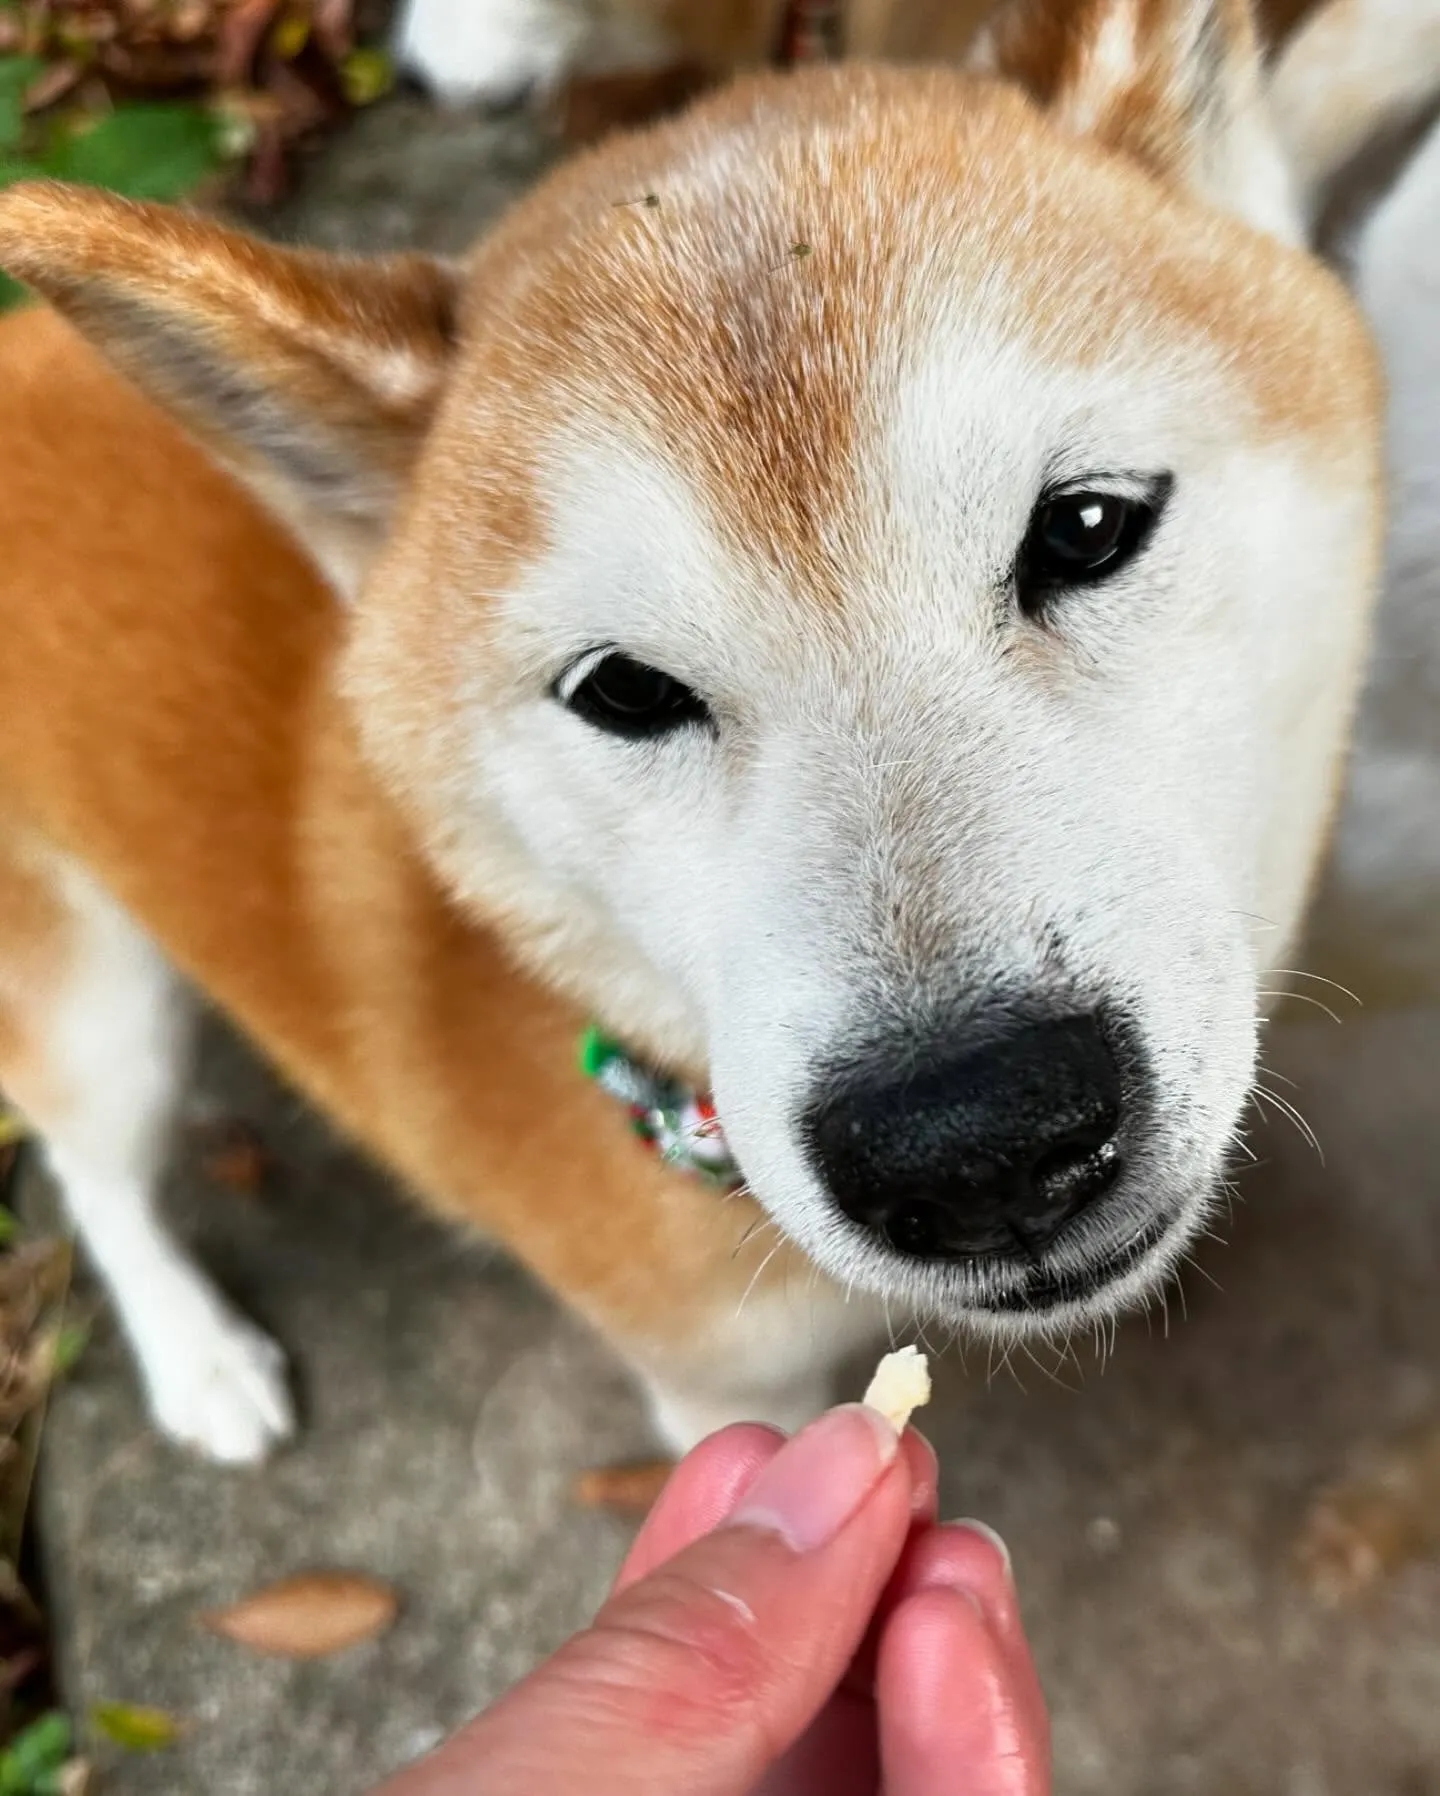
859,592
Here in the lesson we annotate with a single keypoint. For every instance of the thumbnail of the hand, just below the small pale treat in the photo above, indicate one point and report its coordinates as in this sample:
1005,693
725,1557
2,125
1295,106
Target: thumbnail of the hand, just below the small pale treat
818,1481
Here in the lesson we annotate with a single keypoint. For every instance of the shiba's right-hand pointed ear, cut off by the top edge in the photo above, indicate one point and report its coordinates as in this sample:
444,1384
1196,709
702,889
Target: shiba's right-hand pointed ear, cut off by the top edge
1177,85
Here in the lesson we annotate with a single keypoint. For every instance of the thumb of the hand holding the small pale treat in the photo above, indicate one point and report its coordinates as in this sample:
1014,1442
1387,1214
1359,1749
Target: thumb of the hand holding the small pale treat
699,1677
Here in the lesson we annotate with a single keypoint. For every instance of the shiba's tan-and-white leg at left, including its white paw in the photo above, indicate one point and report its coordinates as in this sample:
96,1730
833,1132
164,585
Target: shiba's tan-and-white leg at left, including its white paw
92,1048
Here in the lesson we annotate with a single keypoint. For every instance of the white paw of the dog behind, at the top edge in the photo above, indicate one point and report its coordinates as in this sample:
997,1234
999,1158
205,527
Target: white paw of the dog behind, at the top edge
491,51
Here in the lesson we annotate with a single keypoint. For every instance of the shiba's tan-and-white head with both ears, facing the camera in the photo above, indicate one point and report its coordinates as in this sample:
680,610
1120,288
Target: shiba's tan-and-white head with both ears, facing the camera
865,586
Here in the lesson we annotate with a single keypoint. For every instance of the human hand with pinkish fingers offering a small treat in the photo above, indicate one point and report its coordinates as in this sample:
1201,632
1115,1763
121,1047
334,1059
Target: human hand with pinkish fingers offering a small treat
789,1623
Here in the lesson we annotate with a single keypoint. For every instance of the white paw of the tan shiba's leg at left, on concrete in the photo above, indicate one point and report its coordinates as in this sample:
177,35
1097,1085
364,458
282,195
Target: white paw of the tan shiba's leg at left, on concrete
220,1389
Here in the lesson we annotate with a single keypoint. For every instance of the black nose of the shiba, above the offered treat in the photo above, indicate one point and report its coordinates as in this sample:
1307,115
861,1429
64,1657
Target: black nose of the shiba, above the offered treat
974,1150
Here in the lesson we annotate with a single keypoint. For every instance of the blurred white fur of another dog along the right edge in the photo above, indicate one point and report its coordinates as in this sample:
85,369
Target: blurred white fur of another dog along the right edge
1380,913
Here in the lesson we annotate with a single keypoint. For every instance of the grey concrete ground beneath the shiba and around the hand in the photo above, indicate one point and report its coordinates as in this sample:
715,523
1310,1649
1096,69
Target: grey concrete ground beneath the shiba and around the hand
1154,1504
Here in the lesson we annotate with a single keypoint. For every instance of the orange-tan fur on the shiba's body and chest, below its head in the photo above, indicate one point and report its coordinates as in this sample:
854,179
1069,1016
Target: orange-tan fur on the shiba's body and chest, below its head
224,802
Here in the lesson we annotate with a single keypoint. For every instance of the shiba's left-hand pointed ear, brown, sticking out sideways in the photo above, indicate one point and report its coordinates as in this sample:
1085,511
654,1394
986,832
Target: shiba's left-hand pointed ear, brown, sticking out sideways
312,376
